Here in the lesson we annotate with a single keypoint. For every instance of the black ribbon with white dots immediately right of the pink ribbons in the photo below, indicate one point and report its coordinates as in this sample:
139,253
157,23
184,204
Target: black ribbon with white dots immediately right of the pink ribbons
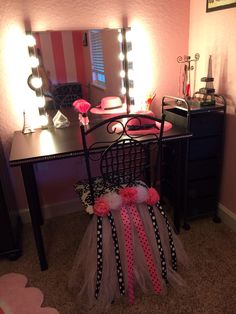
159,244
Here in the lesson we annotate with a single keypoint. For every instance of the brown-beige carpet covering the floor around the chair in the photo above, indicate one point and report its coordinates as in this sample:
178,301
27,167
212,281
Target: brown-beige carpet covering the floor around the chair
211,275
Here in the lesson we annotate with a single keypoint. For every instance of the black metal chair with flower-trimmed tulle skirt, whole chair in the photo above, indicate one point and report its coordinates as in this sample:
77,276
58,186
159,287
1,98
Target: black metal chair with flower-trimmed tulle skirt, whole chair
128,243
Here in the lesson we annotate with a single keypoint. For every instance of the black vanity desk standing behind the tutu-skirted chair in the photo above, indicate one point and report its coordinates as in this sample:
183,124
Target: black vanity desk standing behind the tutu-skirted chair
53,144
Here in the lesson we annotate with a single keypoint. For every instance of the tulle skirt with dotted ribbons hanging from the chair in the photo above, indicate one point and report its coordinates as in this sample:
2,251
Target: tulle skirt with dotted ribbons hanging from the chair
98,282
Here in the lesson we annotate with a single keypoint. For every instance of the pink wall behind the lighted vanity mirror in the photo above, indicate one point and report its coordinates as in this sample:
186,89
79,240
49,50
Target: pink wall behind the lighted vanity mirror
161,34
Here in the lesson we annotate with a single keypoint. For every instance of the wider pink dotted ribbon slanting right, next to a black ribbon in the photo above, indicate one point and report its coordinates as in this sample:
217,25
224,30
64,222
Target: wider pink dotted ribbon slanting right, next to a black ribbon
146,248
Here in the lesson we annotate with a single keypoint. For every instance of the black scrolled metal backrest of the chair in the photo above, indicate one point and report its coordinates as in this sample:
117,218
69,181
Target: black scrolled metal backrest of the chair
127,150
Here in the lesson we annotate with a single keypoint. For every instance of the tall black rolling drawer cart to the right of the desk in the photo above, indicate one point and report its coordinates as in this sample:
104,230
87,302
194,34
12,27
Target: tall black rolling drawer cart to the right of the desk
204,154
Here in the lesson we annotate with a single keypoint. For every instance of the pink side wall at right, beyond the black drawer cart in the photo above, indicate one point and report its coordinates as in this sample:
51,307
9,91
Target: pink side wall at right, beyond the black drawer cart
214,34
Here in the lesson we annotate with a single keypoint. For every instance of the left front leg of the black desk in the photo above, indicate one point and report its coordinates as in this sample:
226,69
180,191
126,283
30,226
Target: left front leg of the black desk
35,210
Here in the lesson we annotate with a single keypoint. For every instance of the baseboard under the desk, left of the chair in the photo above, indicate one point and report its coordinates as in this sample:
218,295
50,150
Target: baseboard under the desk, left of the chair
54,210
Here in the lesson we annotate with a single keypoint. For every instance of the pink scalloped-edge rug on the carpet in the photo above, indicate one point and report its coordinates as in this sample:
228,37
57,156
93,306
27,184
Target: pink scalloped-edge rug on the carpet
16,298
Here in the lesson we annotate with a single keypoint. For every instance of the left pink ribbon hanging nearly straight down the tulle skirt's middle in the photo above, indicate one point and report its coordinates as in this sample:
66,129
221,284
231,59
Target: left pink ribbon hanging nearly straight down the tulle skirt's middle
129,252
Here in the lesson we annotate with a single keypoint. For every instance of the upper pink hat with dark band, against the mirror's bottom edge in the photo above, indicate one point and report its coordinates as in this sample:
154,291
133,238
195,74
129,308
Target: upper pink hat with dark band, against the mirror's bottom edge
110,105
